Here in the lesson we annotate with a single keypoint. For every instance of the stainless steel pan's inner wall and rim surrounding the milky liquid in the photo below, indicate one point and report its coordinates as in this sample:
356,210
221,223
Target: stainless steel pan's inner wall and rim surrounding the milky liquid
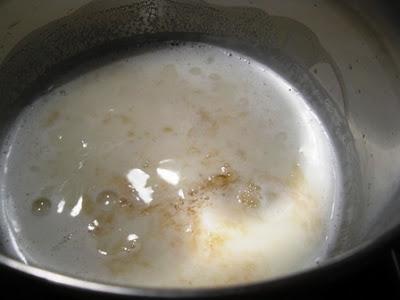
342,56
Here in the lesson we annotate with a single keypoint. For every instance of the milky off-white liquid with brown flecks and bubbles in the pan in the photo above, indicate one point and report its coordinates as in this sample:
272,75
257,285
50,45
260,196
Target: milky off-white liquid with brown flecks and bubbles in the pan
179,167
